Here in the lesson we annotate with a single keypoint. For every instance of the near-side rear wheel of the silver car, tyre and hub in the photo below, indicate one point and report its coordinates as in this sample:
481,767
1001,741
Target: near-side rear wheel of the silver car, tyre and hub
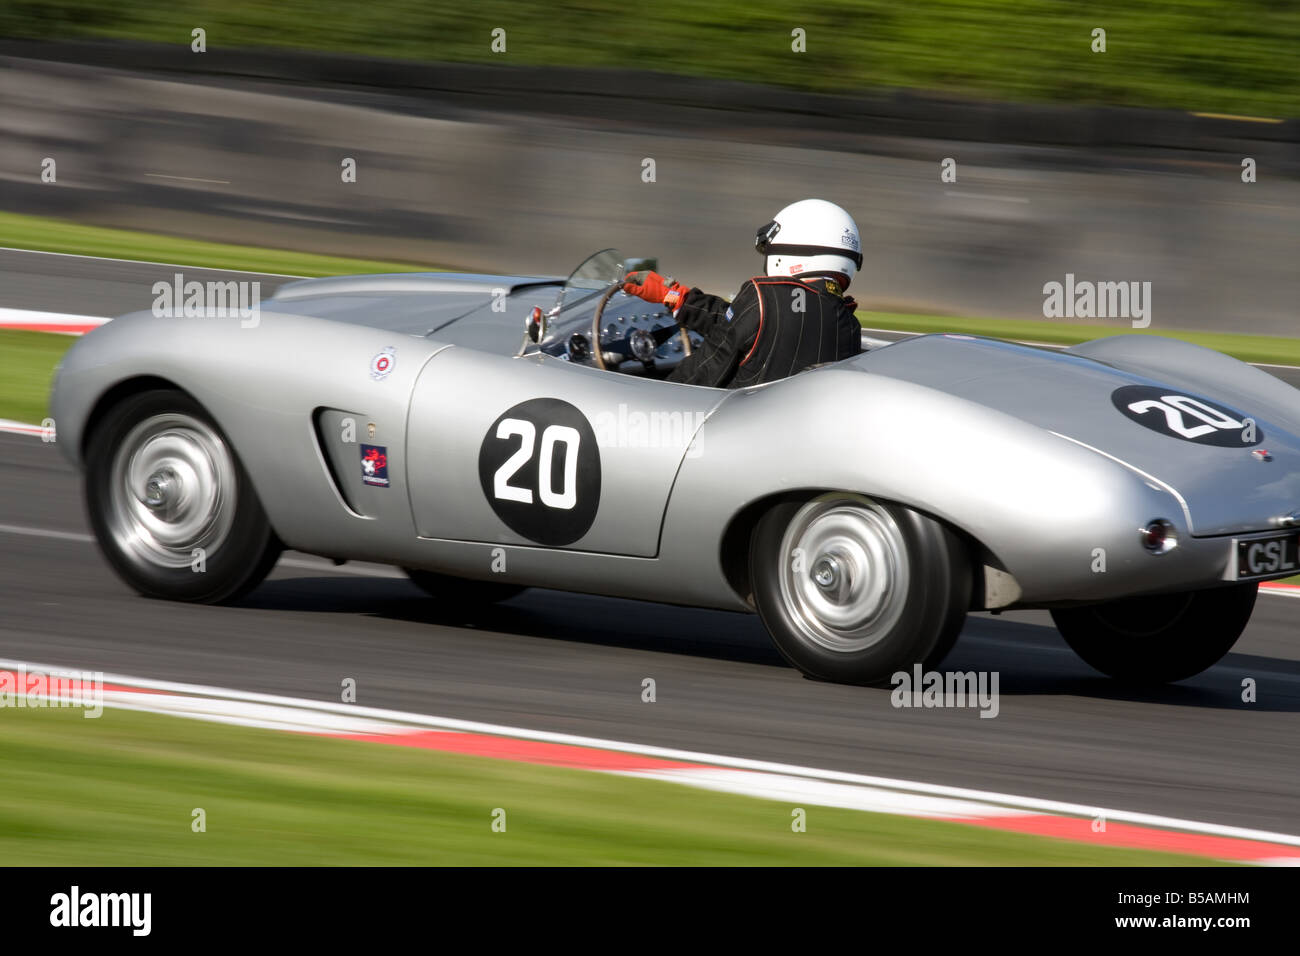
827,631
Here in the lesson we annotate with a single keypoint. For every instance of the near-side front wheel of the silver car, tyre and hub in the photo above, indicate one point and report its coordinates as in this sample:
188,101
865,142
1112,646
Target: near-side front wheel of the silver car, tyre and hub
206,503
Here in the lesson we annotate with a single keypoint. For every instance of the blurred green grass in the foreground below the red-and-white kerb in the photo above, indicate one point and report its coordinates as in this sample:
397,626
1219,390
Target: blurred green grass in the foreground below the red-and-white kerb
122,790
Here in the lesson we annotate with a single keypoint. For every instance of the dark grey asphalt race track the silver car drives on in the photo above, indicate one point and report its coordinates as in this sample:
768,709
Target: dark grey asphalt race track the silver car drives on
577,664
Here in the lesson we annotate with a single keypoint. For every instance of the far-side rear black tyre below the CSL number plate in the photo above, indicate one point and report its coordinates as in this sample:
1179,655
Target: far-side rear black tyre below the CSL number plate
1160,638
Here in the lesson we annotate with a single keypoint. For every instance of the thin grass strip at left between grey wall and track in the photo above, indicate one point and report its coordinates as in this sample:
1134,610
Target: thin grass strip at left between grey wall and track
62,236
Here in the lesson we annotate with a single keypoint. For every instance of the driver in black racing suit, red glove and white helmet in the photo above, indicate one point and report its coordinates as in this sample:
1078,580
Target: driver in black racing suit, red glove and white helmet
791,319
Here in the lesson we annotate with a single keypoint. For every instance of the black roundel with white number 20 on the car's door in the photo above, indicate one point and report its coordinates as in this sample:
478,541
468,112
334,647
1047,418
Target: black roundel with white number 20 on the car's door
541,471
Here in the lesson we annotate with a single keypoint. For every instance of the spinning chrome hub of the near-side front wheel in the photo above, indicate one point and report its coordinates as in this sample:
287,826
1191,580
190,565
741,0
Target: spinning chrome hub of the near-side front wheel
174,491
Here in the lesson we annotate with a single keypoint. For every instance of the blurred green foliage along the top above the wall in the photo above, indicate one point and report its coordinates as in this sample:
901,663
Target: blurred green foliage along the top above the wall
1199,55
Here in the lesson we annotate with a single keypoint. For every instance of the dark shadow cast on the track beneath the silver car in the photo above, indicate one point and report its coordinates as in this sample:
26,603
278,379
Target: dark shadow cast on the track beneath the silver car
1032,660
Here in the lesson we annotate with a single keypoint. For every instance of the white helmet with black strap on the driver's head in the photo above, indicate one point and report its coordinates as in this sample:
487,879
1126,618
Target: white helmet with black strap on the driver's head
814,237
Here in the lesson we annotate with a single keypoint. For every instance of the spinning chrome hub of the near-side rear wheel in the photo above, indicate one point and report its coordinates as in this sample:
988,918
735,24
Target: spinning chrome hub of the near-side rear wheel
844,573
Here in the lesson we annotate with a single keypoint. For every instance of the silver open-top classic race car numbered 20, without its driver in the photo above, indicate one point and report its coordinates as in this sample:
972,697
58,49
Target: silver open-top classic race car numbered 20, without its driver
1136,486
